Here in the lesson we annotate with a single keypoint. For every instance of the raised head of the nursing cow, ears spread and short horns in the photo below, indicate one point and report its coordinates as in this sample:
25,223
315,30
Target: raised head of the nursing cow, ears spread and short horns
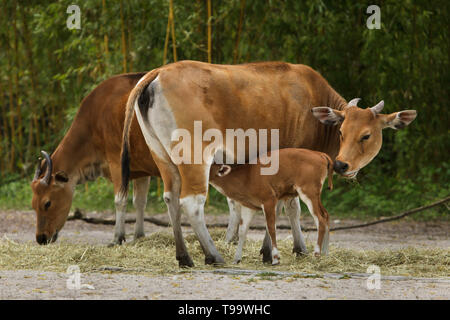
360,132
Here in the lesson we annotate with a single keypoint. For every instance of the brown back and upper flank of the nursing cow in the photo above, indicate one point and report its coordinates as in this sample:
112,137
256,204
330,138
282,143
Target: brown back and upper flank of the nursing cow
266,95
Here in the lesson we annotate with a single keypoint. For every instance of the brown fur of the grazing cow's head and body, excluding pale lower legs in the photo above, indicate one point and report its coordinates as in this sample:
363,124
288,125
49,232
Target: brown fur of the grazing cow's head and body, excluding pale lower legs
93,141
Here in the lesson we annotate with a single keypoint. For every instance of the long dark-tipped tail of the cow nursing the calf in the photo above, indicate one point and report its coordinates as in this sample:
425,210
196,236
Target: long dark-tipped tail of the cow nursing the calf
129,113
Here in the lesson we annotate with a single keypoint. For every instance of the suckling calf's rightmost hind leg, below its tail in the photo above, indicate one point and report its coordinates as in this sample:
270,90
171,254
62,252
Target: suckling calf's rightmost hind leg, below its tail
312,200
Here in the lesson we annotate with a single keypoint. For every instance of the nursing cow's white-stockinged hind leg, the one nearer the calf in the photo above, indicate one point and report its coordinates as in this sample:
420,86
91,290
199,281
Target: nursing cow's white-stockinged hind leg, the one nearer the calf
194,186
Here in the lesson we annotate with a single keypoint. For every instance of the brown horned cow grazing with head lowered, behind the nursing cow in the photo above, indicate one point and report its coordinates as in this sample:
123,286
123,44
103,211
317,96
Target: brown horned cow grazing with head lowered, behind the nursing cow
91,148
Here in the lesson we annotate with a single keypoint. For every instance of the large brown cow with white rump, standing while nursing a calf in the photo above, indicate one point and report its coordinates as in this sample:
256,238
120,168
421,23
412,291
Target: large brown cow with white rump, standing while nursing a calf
269,95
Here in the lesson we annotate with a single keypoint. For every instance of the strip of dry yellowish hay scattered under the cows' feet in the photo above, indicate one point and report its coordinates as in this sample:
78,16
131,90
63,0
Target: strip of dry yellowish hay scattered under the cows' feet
155,255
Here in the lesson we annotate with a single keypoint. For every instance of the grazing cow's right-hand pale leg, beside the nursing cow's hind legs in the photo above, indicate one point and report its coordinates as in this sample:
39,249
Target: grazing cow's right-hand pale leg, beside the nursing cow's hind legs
140,191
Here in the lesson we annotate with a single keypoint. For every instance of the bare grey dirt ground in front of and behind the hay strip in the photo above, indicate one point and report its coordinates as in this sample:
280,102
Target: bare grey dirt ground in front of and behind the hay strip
27,284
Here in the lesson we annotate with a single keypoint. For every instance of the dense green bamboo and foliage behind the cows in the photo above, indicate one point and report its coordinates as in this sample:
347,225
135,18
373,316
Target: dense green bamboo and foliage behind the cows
46,69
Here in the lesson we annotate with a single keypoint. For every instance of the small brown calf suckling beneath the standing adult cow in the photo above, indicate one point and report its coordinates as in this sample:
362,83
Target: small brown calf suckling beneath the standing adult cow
301,173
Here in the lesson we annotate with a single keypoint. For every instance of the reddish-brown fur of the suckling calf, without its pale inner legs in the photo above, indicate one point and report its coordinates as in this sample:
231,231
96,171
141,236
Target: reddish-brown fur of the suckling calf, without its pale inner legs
299,168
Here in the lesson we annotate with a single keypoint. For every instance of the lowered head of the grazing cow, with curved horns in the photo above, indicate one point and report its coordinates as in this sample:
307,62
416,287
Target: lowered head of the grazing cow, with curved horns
52,198
